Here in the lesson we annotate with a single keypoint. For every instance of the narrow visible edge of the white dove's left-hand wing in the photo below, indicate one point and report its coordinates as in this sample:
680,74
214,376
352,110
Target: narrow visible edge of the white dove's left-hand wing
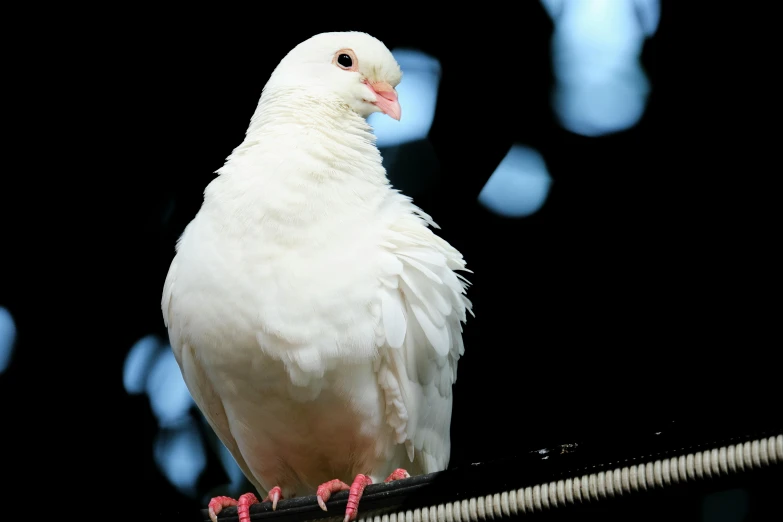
198,383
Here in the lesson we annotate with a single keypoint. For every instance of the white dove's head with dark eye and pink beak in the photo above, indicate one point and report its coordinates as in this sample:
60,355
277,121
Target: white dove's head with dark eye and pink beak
351,67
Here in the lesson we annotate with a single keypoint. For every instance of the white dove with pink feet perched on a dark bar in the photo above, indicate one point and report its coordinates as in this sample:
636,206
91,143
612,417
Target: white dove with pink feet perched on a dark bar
316,319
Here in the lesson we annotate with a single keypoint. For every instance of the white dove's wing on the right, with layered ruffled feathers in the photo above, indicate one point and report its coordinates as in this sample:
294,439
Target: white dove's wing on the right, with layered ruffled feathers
422,308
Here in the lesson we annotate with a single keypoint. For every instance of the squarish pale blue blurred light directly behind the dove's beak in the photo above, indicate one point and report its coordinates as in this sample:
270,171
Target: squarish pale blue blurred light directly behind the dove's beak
417,94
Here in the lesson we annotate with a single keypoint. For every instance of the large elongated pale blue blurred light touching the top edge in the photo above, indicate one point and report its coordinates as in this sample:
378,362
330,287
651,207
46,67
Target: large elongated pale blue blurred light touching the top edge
600,85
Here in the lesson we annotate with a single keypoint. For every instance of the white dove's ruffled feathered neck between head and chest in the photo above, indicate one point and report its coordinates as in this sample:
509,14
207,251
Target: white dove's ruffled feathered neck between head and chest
305,161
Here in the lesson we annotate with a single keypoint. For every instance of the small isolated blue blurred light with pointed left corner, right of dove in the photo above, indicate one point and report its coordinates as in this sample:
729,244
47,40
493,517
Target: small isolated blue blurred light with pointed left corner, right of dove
519,186
